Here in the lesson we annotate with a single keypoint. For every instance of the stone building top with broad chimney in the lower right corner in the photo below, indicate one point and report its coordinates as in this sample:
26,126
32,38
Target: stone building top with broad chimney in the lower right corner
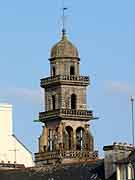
117,161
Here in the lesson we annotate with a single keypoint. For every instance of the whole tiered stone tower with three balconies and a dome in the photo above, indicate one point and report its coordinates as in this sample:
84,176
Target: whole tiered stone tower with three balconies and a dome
66,136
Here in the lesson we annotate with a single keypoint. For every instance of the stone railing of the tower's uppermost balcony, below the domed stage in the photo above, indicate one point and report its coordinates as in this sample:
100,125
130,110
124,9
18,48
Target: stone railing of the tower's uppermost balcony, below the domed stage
65,78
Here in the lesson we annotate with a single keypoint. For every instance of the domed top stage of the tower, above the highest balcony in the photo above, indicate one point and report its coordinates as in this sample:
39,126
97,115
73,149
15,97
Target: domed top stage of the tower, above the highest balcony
64,58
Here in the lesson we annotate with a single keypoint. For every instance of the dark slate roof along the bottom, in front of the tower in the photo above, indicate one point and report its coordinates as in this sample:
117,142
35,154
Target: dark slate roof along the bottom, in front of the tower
84,171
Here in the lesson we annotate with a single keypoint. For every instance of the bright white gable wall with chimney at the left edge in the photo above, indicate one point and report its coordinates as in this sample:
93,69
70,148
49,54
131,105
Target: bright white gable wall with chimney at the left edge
11,148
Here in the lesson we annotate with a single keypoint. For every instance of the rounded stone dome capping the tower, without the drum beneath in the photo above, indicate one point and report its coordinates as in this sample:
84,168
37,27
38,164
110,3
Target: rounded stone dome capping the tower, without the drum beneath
64,49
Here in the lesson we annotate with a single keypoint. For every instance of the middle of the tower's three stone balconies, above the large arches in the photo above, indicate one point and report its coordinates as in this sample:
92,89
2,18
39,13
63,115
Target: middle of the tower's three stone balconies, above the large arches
66,114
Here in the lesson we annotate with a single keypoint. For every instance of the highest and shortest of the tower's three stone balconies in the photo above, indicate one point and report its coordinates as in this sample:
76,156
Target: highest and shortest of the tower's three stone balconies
65,79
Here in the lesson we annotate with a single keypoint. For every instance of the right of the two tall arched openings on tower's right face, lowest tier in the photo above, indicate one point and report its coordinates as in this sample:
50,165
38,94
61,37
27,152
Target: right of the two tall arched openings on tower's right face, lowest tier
80,139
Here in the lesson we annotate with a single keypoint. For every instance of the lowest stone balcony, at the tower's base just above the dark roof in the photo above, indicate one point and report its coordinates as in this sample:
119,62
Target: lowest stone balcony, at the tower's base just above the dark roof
78,155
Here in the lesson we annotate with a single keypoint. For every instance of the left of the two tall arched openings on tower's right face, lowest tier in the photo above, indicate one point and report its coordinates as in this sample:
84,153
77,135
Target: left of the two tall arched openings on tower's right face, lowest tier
69,138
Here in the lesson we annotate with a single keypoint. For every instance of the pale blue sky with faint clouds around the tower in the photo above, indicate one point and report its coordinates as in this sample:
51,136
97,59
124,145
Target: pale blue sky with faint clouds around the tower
104,33
